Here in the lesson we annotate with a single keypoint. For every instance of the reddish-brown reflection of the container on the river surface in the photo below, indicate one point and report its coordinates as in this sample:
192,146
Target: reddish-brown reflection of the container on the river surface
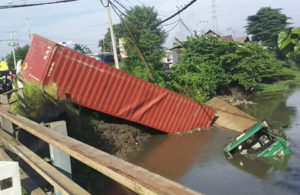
173,157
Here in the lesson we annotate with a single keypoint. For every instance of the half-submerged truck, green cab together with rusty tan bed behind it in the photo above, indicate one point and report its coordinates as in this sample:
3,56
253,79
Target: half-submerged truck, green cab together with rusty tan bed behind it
257,138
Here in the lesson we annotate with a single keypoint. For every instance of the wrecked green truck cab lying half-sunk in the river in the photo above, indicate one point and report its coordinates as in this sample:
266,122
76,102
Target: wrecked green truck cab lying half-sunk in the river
259,141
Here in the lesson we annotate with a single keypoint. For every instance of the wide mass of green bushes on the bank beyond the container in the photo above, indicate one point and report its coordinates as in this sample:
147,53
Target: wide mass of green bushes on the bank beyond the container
209,65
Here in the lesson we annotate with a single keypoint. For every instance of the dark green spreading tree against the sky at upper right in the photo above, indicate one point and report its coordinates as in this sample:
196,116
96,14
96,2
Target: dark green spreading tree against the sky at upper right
265,26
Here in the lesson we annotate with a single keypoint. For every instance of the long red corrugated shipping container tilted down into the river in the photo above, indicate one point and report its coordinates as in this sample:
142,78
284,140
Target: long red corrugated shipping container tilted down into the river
98,86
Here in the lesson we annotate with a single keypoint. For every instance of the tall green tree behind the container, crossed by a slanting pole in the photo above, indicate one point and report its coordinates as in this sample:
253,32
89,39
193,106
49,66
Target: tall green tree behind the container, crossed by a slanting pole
149,38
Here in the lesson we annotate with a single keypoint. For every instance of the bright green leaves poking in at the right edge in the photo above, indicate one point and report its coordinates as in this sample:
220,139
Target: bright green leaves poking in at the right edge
289,41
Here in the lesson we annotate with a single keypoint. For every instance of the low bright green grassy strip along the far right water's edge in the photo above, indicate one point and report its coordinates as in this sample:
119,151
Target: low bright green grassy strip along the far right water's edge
263,89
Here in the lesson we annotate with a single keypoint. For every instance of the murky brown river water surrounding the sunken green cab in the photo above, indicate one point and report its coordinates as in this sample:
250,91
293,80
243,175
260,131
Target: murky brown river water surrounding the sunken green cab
197,161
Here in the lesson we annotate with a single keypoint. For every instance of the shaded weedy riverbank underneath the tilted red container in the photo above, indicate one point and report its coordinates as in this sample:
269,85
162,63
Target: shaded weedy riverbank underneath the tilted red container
114,136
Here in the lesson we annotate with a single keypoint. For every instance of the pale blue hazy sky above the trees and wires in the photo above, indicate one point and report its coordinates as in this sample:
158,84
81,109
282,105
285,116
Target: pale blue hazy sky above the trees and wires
85,21
